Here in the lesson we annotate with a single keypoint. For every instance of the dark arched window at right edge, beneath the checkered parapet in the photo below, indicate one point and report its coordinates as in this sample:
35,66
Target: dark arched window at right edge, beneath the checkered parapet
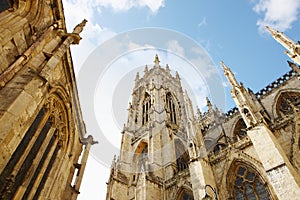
283,106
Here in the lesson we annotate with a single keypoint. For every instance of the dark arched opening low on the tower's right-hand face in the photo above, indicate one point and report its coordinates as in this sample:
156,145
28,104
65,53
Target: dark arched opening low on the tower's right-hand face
182,156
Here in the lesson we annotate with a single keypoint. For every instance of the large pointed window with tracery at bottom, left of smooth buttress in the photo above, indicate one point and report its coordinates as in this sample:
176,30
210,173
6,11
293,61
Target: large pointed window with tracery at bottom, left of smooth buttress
247,184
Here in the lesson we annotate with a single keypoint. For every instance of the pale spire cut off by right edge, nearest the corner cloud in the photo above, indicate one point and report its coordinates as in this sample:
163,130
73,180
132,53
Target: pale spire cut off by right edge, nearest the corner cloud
292,48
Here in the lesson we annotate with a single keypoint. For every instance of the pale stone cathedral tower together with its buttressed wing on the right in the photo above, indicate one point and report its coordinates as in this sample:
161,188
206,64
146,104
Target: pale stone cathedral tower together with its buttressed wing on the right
169,152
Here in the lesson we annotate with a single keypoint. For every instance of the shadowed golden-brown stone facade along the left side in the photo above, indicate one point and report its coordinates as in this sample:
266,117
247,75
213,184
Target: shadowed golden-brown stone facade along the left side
41,126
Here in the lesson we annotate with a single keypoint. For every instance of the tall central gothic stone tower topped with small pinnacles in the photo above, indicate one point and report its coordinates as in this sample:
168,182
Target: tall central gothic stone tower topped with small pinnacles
158,142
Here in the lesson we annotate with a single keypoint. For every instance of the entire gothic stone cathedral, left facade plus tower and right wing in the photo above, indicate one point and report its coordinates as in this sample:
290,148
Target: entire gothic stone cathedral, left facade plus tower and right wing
167,152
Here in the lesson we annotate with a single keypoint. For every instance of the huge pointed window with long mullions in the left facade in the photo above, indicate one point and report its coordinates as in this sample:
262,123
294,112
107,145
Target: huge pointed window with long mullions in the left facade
41,144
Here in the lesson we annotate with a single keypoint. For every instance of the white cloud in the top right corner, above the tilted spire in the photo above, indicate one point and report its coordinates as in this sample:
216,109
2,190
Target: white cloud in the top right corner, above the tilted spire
278,14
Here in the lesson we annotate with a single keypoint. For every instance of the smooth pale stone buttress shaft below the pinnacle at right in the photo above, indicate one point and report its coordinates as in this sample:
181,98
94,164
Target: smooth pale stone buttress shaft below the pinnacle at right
281,174
